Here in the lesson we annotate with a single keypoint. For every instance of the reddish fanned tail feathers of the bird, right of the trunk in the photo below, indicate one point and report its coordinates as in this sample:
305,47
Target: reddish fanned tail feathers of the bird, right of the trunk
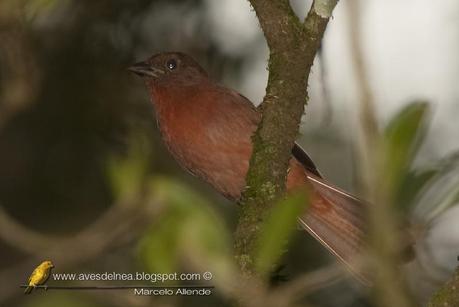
336,219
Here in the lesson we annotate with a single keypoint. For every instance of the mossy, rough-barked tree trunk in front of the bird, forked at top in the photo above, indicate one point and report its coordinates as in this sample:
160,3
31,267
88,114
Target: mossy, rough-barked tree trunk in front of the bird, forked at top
293,45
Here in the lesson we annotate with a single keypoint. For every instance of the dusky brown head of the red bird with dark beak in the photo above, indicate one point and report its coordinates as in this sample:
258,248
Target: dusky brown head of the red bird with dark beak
170,69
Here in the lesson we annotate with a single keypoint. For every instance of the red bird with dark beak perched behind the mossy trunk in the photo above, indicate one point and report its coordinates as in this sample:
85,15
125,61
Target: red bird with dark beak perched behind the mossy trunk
208,127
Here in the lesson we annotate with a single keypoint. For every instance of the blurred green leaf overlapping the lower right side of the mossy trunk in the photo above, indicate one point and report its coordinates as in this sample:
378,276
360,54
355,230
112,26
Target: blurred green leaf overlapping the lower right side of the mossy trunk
277,229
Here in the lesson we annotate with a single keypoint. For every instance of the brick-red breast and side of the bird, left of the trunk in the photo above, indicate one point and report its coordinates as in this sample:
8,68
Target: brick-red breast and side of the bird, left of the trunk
215,147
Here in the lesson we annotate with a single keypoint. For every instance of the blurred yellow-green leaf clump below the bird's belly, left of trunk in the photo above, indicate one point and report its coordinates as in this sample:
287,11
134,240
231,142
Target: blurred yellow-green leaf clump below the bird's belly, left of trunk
189,228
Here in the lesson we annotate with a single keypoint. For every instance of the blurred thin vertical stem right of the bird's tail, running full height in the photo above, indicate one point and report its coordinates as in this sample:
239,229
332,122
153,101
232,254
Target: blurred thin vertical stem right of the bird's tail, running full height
390,289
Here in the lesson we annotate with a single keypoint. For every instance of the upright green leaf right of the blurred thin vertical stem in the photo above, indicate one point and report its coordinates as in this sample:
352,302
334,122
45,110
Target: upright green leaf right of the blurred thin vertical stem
401,140
